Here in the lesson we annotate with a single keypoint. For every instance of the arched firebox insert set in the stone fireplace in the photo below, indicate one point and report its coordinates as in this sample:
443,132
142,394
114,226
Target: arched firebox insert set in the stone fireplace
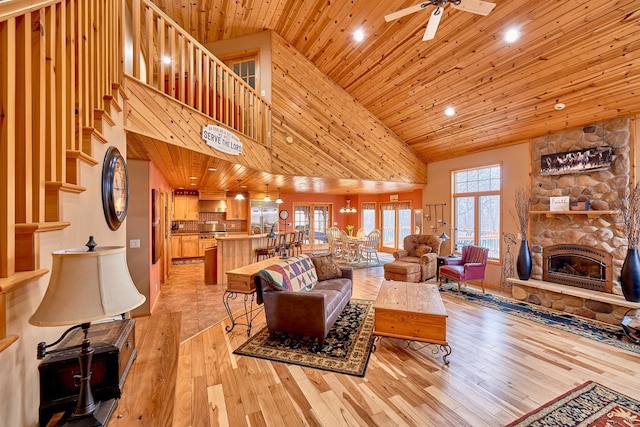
579,266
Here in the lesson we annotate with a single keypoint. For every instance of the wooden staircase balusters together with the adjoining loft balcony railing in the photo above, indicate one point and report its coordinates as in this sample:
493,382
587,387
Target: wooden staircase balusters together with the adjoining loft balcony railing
61,76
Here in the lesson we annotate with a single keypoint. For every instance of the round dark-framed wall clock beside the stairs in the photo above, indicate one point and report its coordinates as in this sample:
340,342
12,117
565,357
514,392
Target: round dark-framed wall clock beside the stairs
115,188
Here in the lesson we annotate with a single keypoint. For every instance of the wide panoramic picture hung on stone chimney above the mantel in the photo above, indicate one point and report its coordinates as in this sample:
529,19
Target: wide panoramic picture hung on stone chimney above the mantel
589,160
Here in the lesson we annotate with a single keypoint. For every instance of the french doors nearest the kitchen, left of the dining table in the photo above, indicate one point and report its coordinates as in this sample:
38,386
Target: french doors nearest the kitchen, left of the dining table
314,219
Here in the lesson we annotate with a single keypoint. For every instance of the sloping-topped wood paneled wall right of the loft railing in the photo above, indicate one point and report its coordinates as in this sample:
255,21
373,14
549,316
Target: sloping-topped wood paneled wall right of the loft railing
333,135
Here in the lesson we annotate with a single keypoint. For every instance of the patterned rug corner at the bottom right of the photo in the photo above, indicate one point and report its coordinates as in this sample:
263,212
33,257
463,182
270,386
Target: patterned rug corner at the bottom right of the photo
590,404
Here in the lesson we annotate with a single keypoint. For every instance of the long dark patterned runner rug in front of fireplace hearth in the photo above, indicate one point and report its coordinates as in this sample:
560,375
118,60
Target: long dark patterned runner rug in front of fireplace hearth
593,329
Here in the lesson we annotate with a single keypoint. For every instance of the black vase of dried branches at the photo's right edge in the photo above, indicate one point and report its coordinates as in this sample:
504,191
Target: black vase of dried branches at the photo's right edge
630,273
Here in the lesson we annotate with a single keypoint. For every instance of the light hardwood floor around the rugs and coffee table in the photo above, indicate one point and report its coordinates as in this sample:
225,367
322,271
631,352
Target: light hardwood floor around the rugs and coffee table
501,367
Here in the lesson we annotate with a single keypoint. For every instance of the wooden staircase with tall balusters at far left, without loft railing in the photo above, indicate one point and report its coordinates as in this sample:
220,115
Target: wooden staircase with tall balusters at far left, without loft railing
60,74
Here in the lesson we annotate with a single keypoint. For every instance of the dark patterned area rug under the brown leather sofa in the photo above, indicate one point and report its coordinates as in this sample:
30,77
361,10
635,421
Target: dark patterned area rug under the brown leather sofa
346,349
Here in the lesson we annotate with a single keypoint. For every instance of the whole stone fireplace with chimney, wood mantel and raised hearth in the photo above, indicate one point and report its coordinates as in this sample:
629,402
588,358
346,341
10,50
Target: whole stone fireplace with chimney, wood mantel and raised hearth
577,257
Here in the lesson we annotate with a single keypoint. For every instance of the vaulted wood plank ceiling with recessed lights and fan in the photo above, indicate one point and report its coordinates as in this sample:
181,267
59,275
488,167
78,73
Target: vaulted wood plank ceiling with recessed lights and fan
583,53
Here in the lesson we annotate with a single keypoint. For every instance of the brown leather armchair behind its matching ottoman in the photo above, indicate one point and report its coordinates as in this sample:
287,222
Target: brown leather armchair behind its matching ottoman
422,249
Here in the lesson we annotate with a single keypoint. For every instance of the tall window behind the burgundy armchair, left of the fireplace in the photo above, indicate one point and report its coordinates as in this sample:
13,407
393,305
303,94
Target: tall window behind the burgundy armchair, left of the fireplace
477,207
